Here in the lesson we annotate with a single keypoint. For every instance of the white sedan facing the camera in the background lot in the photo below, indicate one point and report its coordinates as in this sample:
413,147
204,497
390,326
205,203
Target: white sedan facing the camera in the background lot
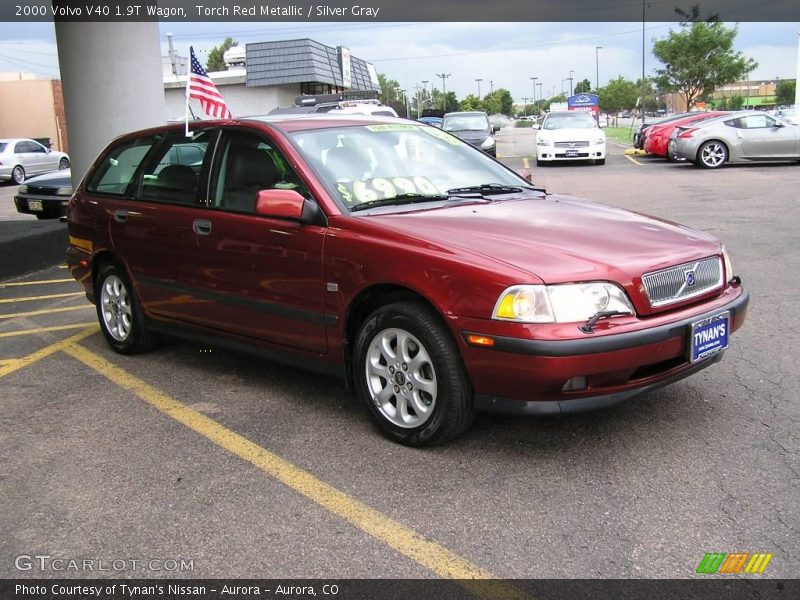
570,136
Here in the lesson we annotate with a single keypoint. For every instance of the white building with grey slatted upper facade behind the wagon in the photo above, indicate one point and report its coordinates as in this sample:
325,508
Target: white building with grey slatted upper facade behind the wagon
264,75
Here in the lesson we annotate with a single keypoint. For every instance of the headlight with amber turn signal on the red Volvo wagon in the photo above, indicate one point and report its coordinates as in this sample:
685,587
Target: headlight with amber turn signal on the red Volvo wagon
565,303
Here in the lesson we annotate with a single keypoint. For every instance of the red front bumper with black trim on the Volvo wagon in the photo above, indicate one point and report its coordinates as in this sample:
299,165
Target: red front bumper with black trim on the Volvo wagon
528,376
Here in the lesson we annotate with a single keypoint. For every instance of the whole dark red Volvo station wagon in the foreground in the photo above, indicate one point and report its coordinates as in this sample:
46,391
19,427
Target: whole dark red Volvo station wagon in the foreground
428,275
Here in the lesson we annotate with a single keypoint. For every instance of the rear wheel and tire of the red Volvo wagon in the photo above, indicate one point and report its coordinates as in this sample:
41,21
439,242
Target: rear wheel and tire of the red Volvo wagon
118,311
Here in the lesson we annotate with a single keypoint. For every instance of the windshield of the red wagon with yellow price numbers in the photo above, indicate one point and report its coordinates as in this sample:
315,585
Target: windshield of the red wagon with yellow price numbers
365,163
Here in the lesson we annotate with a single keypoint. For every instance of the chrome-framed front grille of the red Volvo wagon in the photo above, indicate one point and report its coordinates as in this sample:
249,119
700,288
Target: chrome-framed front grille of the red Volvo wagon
681,282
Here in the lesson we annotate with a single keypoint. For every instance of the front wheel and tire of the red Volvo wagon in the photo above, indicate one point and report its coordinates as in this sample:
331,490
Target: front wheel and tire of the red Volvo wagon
423,400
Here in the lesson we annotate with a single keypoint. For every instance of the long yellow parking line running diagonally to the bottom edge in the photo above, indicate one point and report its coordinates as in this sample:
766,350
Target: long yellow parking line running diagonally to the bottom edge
392,533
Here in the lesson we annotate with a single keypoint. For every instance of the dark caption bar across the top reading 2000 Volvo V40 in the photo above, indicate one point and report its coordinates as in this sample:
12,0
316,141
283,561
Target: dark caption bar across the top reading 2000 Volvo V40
368,11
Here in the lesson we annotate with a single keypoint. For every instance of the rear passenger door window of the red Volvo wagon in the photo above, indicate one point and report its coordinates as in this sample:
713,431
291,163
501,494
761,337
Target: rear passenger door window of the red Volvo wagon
173,174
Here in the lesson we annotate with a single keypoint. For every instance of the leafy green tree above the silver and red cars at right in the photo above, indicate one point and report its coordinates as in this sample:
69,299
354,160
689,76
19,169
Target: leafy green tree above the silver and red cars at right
699,58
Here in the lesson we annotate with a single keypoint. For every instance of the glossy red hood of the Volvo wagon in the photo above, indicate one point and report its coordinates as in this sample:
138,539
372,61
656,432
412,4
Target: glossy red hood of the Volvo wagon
559,239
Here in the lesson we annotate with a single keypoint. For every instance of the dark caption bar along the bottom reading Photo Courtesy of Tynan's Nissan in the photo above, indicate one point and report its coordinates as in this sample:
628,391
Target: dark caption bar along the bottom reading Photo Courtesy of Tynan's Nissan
704,588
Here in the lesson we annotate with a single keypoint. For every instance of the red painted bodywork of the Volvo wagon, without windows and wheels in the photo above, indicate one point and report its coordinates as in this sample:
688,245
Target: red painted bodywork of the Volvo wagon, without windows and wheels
291,286
